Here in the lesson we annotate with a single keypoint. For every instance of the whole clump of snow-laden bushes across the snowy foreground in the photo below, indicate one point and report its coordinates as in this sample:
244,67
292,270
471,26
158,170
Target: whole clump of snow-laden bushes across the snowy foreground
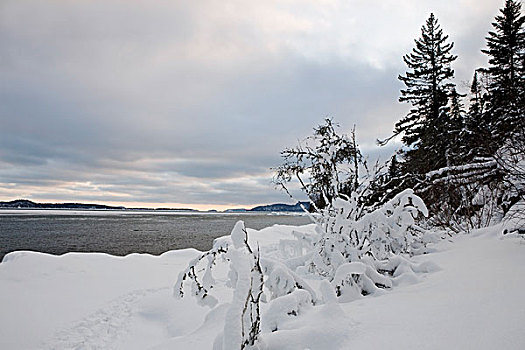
353,253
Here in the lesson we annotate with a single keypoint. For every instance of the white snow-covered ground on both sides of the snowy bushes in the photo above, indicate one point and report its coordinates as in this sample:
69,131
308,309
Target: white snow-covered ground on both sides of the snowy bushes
473,300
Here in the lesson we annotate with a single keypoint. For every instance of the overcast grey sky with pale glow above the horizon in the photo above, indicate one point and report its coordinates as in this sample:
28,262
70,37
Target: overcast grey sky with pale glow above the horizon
188,103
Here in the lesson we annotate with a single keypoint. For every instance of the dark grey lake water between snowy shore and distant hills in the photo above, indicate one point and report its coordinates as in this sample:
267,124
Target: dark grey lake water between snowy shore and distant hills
122,232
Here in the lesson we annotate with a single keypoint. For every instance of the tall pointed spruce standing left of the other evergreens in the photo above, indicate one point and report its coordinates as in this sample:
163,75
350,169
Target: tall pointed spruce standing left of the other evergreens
428,89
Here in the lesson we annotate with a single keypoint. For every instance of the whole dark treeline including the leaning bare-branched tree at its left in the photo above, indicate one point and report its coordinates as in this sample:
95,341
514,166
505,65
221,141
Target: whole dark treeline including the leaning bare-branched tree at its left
463,152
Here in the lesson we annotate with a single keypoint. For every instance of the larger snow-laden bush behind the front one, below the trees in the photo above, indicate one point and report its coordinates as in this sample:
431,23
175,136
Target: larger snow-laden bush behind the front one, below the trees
350,244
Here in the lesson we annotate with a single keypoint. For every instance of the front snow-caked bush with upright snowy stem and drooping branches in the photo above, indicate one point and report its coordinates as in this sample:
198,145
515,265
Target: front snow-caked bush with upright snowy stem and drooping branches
253,279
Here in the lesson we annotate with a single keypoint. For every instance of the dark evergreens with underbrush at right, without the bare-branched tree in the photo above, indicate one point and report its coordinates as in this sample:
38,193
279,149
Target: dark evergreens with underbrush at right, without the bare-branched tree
454,157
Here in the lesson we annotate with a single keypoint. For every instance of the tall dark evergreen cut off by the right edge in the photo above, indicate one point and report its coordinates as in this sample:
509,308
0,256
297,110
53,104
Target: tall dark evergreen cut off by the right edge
506,51
